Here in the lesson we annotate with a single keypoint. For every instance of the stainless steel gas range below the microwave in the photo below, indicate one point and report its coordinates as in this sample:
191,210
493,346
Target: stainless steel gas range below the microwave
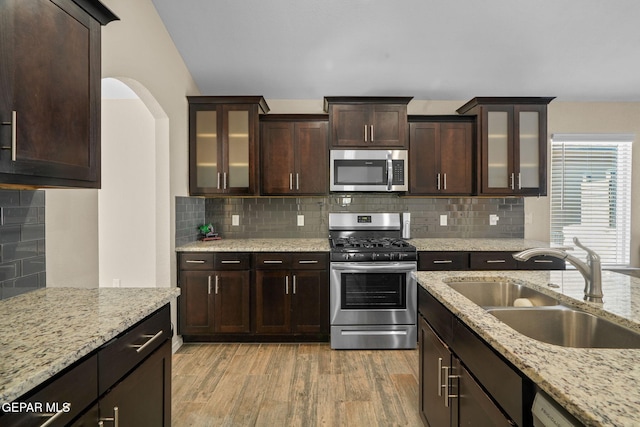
373,292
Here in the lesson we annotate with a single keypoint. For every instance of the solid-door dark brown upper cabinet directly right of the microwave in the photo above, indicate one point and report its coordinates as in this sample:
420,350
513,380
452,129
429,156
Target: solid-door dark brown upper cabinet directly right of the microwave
441,155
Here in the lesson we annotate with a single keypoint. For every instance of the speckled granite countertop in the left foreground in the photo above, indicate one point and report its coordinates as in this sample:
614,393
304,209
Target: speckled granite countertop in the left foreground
45,331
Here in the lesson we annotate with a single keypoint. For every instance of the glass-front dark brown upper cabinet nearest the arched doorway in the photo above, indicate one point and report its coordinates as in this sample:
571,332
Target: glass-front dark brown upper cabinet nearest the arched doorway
223,144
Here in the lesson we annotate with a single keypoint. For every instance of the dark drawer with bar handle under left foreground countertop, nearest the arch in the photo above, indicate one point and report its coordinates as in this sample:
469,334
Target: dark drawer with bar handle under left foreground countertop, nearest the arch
123,353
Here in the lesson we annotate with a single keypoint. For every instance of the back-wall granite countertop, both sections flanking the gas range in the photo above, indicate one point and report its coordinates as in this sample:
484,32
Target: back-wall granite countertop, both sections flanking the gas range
322,245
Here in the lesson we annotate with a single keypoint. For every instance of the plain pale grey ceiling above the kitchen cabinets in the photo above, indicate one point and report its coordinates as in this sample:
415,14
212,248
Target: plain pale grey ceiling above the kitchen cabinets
575,50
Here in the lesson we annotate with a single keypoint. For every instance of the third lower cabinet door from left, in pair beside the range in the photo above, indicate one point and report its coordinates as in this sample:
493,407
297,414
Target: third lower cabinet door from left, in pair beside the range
273,302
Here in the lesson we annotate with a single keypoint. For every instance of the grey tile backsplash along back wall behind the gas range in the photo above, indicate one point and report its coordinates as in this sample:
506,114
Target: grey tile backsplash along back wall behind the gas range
278,217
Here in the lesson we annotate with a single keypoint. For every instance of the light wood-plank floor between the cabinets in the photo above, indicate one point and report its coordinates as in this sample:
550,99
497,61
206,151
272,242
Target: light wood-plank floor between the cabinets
293,385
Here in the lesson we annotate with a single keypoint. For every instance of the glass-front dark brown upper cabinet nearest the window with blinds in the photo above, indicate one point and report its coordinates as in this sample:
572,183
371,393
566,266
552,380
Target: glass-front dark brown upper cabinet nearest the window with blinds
512,144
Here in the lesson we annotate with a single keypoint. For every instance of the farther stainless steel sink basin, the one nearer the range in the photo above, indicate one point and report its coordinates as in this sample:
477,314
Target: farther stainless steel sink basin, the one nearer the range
500,294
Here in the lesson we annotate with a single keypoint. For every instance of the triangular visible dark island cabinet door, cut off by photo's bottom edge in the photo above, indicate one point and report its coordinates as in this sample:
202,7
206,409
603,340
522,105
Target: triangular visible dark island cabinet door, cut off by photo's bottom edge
474,407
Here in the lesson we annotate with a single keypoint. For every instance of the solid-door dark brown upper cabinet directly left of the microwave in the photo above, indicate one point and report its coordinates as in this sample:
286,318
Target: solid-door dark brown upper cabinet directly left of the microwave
294,152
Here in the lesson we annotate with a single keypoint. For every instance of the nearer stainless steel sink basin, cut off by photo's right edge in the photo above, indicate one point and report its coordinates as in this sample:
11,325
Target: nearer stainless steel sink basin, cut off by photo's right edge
567,327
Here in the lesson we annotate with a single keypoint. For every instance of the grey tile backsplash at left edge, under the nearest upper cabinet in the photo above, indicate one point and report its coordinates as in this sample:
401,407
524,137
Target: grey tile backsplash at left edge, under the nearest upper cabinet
22,241
